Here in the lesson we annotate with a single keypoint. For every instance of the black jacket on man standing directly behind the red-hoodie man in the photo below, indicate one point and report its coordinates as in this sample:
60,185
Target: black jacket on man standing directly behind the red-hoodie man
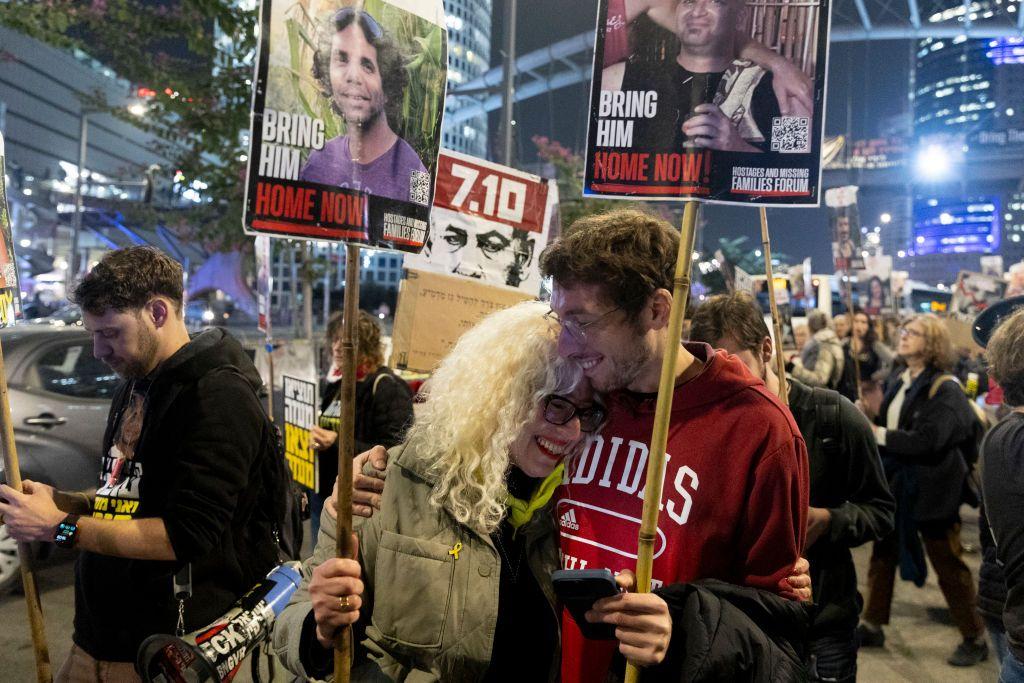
848,481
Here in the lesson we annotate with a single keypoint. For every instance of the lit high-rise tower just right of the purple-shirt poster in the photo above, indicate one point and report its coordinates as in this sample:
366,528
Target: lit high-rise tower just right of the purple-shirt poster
470,58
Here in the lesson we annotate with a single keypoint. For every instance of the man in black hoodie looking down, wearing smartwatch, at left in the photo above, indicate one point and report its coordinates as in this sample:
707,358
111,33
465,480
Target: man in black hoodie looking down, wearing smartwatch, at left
183,478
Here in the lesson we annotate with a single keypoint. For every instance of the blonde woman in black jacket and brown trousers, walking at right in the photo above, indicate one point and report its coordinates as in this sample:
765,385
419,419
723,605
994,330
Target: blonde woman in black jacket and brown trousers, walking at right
921,429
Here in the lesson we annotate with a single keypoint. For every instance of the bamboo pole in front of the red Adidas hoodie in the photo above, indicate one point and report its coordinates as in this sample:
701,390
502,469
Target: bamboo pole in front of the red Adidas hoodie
663,412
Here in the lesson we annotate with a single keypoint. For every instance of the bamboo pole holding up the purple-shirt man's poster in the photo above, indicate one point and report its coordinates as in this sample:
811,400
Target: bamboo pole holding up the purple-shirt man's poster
347,445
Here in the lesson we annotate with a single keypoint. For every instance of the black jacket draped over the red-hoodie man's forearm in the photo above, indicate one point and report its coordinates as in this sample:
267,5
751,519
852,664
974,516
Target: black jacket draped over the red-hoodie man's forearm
722,632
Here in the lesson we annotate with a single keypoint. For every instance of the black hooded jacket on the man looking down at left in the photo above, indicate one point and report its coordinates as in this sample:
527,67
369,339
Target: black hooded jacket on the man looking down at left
196,463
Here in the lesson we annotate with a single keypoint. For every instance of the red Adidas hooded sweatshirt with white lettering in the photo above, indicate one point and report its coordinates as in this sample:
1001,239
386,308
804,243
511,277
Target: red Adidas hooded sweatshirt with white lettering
735,502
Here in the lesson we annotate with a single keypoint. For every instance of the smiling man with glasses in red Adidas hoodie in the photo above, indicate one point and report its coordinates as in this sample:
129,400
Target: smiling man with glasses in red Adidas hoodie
736,494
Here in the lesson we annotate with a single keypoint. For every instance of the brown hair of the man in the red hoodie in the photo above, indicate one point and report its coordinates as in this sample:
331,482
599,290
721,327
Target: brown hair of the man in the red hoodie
630,253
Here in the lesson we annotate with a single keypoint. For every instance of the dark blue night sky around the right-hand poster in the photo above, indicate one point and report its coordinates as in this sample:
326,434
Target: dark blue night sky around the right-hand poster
865,98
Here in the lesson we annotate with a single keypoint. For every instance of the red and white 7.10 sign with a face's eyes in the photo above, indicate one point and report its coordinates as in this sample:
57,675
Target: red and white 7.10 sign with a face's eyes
489,223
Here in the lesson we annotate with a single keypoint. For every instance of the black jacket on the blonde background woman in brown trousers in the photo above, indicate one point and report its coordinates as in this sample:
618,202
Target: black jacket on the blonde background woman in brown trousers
927,447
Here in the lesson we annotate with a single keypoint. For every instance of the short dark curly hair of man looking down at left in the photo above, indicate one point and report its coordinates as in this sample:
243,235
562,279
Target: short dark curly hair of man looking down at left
126,280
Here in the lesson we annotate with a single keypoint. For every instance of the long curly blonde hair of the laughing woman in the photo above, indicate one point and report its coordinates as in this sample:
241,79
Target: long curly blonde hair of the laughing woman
480,400
